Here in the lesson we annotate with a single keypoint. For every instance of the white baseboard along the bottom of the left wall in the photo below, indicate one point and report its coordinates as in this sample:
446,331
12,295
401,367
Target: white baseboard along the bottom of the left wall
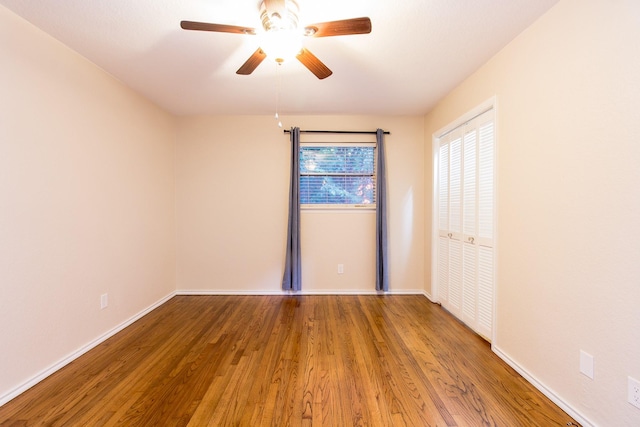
11,394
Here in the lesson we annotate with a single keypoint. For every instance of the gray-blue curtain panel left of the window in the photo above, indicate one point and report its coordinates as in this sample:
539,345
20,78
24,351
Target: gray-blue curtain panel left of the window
292,280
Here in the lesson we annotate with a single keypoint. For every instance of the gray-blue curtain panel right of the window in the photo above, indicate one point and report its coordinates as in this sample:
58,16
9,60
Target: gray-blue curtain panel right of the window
382,270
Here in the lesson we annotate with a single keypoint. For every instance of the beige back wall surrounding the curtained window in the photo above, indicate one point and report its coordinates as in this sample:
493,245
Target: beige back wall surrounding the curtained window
232,183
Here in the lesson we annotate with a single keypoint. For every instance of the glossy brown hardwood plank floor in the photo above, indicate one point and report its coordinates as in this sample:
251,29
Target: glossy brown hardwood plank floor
288,360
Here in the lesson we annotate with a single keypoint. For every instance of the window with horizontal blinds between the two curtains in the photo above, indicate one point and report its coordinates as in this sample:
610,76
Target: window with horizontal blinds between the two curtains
337,175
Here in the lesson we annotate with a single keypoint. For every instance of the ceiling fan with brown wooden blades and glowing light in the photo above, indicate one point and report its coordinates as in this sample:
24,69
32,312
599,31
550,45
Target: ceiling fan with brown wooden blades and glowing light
280,23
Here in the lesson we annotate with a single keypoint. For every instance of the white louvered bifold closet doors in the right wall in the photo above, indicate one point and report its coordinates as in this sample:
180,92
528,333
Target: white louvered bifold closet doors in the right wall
465,221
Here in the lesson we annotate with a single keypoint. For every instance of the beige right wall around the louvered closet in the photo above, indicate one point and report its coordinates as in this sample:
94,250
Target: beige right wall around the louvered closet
568,92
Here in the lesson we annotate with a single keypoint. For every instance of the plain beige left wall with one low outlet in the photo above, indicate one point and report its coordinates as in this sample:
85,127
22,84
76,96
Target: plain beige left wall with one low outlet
86,202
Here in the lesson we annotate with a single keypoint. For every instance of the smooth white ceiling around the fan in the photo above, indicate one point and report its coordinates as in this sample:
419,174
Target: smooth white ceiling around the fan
417,52
